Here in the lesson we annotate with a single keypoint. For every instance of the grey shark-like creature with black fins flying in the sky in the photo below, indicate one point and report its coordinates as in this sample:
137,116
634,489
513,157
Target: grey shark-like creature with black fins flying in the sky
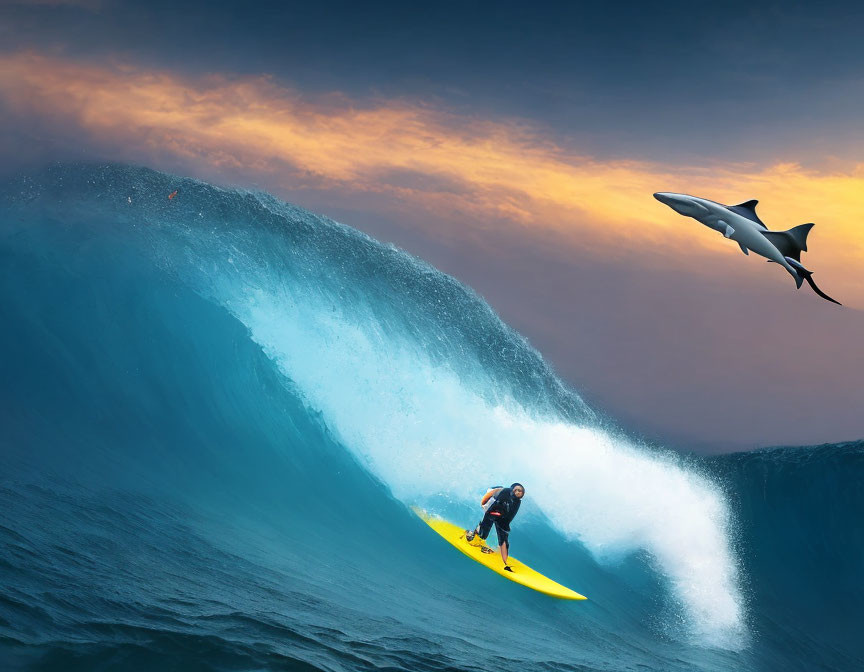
741,224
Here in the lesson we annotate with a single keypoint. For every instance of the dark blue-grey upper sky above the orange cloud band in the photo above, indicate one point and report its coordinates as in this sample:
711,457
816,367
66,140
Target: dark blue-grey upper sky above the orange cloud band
654,80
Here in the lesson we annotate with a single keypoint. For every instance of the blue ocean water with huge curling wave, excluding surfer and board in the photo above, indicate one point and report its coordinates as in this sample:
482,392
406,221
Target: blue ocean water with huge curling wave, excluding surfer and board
217,410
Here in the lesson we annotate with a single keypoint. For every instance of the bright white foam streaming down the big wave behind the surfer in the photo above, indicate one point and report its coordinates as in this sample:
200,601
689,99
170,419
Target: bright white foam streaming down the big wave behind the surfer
424,427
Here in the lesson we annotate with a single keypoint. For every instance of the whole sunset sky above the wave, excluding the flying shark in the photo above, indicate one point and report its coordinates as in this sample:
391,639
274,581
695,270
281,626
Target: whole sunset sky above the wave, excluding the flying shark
517,146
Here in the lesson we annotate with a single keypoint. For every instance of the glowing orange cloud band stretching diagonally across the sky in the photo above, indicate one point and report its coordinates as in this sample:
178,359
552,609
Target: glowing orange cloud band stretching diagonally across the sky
497,173
